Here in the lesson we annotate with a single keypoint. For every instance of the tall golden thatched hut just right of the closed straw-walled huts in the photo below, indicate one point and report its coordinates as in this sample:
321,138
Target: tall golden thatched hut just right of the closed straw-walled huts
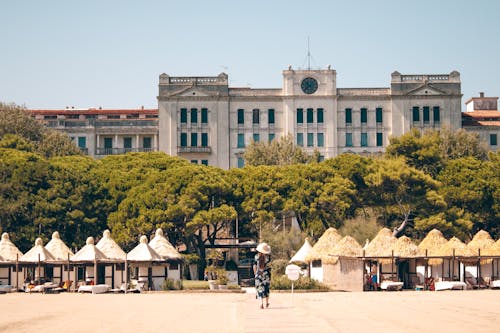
380,256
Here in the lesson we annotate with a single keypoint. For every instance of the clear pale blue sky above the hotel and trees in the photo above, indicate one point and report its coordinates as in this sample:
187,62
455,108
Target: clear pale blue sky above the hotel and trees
110,53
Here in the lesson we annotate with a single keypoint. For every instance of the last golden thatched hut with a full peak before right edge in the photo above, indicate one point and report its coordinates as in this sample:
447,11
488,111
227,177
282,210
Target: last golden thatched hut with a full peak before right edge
480,242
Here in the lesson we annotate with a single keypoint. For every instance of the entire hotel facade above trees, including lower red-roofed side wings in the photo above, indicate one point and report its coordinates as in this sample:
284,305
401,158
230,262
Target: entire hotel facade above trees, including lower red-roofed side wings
205,121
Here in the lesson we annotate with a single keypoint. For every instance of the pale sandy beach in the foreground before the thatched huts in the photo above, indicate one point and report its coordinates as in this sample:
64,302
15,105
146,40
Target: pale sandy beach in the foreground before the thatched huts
408,311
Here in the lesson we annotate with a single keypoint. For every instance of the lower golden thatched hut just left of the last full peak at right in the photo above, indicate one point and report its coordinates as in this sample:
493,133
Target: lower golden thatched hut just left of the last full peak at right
454,256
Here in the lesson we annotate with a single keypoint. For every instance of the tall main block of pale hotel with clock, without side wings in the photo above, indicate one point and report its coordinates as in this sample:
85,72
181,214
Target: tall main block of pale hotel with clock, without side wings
204,120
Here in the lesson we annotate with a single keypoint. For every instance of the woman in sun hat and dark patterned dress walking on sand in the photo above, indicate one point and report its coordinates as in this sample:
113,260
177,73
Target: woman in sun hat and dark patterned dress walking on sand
262,273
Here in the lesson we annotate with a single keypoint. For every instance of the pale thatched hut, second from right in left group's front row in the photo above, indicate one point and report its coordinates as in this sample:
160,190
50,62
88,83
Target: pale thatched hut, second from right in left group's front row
87,261
